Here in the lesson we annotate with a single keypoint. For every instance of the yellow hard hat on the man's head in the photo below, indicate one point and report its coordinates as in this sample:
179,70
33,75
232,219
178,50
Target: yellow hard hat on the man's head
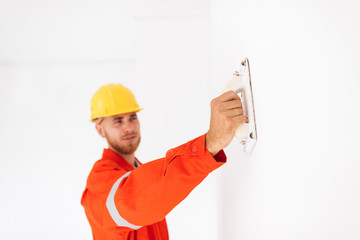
113,99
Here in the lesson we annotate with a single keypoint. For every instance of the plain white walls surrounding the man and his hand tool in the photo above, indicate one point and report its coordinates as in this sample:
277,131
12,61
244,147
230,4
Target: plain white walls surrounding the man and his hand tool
302,181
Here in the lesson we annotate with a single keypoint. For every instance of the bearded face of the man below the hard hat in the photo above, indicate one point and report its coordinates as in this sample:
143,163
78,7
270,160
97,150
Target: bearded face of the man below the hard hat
122,132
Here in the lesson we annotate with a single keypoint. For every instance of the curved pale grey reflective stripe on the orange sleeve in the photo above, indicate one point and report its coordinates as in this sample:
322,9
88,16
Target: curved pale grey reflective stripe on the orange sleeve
110,204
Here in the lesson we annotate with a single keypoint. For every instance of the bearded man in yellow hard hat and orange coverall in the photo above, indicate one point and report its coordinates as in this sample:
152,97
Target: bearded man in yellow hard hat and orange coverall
124,199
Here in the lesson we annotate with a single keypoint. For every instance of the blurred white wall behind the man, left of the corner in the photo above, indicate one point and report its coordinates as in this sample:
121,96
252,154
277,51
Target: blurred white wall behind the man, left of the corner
53,57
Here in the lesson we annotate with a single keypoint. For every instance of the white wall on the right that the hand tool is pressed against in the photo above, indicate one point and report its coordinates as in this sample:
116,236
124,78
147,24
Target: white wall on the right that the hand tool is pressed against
302,182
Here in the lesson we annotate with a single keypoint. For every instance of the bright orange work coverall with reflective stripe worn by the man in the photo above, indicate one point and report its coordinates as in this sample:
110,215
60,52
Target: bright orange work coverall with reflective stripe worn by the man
125,203
